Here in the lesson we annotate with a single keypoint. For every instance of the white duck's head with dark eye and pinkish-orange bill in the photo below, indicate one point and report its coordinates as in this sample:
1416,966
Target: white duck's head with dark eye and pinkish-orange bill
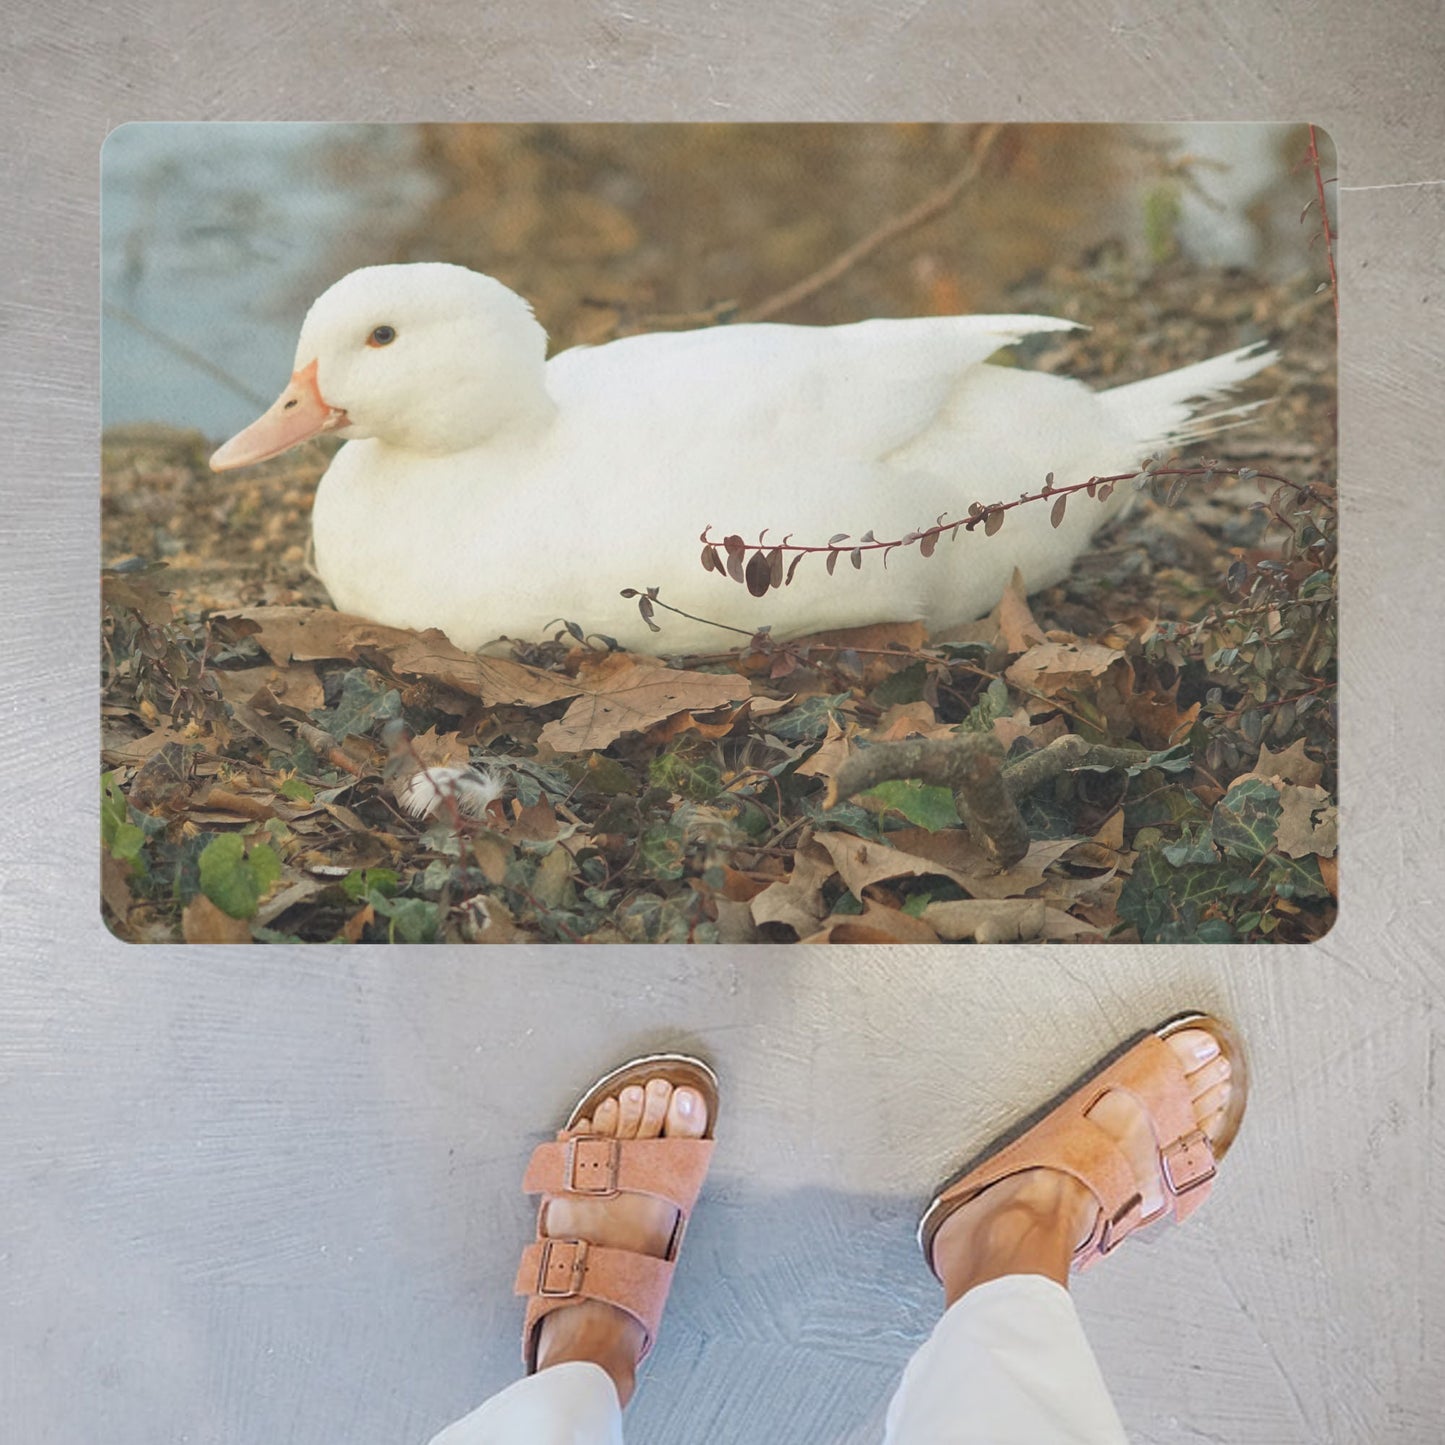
428,358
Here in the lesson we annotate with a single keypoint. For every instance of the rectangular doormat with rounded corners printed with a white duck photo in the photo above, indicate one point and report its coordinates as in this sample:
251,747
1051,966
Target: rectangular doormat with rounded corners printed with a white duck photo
719,534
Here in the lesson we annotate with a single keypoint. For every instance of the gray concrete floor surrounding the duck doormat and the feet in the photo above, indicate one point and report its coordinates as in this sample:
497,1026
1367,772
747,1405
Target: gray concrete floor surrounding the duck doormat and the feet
258,1197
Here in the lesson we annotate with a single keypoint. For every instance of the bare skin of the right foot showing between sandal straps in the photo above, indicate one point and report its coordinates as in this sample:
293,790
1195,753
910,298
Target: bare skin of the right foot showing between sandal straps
1031,1223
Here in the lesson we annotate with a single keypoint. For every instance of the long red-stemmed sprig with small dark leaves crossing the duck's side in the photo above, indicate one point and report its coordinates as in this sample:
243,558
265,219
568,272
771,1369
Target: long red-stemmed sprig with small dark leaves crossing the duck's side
764,570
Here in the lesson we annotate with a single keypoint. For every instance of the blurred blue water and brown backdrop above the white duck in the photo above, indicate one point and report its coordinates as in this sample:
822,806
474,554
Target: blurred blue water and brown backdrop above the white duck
216,238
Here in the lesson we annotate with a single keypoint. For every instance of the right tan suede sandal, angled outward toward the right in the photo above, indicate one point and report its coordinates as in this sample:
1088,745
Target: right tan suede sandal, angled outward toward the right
1061,1138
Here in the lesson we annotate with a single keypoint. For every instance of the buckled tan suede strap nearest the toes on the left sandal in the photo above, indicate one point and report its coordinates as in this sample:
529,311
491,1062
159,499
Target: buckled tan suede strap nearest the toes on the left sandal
596,1167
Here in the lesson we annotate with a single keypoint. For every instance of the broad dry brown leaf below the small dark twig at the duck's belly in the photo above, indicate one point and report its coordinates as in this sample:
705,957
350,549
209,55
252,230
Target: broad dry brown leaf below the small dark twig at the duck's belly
629,697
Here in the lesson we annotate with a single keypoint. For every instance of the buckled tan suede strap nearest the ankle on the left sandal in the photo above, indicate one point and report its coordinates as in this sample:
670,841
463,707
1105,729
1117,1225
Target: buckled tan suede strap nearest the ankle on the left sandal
560,1272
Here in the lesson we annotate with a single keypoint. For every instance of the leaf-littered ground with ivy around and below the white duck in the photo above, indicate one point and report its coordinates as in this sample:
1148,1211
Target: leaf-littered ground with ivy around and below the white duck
265,759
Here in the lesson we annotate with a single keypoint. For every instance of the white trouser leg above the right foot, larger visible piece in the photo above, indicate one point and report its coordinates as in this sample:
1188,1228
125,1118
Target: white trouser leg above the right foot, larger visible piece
1008,1365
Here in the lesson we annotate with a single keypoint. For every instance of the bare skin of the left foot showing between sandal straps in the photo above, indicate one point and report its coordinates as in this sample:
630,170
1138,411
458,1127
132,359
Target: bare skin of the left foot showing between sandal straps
642,1225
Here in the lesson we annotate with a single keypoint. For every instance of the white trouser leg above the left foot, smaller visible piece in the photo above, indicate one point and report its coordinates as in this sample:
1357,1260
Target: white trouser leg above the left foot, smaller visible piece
571,1404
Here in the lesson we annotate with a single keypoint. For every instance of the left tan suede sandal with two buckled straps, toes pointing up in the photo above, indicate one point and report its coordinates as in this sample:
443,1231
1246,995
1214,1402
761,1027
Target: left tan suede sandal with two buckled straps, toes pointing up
557,1274
